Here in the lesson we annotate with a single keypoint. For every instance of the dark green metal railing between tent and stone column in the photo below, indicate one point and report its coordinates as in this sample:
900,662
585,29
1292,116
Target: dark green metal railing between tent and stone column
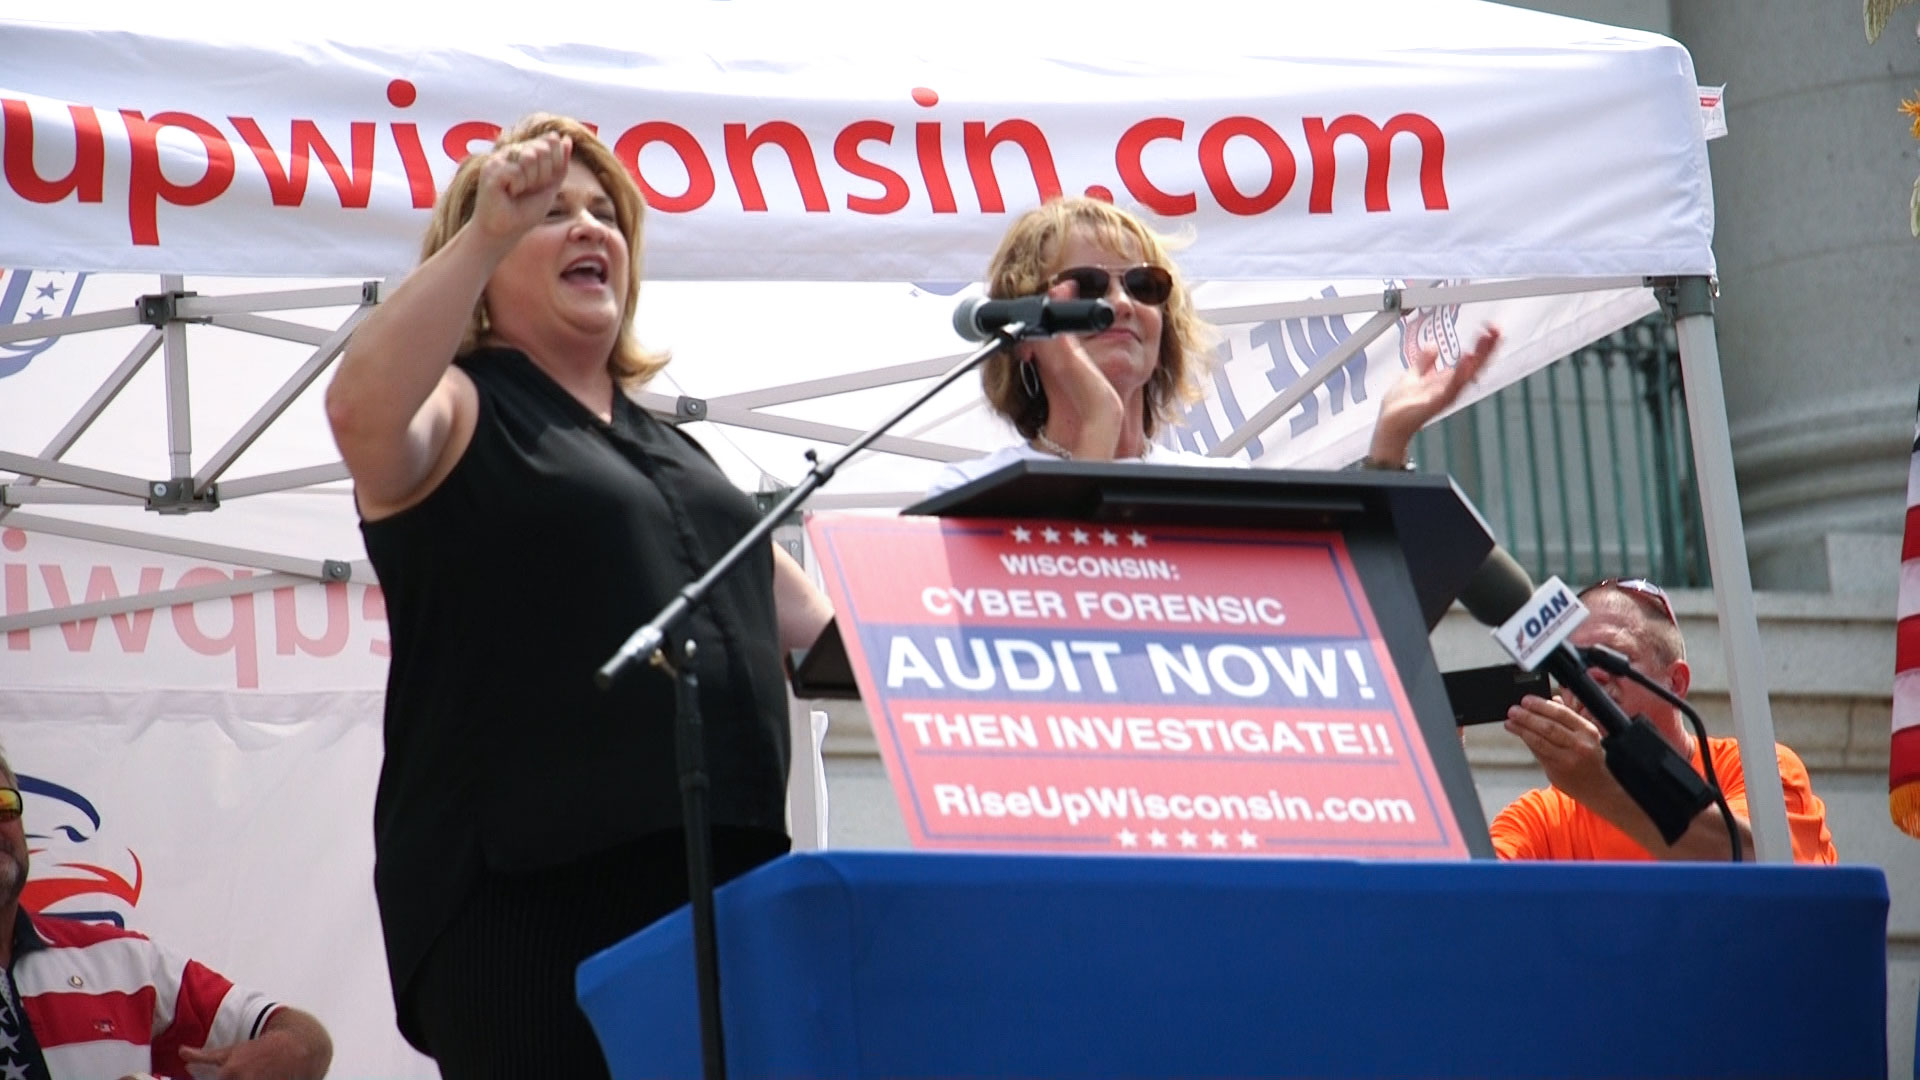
1585,470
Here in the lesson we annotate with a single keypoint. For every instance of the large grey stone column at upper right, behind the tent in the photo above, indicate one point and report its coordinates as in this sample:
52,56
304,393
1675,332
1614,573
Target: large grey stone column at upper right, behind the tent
1821,282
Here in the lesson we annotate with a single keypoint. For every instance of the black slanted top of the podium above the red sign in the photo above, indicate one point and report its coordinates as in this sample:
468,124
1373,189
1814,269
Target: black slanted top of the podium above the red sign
1439,531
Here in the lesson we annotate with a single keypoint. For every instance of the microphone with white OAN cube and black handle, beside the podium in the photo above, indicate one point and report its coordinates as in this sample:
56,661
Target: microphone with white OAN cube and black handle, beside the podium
1533,626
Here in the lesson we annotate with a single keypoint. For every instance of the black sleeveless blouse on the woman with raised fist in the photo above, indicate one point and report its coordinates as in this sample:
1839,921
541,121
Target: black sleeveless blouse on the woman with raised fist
525,570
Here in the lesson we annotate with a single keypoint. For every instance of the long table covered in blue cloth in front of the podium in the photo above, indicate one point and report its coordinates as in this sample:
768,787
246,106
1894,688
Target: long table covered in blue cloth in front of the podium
894,966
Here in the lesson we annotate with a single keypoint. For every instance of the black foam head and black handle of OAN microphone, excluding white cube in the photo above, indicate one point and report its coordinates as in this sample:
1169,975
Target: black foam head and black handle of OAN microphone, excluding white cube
1646,766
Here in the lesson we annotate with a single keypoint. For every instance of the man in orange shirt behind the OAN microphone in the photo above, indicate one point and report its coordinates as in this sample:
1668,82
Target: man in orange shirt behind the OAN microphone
1587,814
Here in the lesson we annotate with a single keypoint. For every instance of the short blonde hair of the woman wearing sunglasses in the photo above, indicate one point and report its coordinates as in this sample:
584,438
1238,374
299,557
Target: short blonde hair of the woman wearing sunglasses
1026,260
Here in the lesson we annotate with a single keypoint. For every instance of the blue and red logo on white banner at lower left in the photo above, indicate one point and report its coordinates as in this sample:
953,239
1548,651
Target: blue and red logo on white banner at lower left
72,871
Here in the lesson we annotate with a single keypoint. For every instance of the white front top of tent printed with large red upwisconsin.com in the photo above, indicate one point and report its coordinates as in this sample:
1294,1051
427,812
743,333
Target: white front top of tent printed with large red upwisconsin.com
1433,139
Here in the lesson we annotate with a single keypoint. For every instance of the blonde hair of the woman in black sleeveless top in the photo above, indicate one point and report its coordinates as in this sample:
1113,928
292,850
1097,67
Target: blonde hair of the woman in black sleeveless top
631,364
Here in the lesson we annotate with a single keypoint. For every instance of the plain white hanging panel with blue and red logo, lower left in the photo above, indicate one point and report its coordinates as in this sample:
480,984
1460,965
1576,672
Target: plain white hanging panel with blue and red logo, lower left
231,827
